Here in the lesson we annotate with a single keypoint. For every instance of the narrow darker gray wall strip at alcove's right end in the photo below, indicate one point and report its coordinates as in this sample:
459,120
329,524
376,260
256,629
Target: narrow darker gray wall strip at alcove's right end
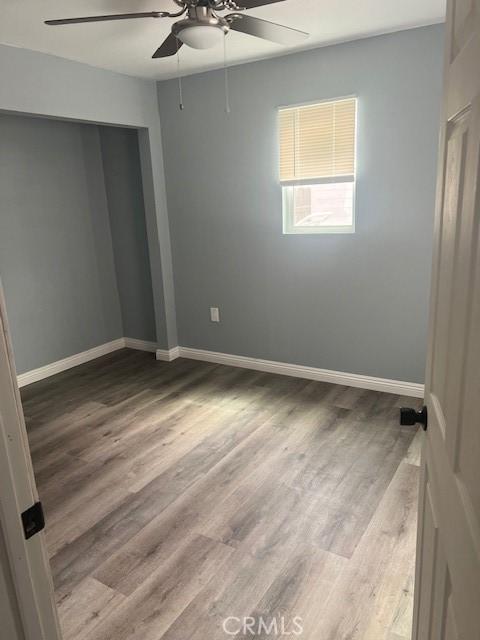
123,183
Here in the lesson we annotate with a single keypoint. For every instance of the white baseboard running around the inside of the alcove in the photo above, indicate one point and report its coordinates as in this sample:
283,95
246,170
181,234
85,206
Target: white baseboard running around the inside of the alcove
85,356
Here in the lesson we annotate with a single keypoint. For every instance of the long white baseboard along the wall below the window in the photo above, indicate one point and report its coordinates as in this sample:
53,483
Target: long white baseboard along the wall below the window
310,373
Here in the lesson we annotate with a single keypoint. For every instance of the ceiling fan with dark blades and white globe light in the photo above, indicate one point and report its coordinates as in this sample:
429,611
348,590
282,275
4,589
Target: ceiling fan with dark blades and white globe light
204,25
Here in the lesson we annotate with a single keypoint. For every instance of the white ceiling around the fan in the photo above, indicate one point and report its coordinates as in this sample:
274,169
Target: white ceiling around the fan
127,46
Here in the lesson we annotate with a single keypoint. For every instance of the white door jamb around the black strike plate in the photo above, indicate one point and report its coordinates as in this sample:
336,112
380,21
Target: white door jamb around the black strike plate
29,568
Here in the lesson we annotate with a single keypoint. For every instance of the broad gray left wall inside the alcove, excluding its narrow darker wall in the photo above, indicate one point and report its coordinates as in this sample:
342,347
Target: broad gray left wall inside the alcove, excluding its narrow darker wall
56,258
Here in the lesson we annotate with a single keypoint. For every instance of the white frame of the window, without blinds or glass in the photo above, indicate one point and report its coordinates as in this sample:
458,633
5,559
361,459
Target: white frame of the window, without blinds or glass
287,187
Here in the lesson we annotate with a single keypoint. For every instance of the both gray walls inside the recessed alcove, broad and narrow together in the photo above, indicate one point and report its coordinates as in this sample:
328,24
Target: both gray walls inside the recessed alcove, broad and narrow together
74,257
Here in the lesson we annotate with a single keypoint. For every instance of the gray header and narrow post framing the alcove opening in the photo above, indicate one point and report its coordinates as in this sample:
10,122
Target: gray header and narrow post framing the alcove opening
40,84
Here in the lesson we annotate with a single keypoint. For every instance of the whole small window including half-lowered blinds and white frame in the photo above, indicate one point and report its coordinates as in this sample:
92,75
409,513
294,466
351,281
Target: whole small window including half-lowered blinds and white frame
317,166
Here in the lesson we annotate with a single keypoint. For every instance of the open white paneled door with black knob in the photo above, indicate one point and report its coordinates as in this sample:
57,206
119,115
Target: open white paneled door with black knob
447,597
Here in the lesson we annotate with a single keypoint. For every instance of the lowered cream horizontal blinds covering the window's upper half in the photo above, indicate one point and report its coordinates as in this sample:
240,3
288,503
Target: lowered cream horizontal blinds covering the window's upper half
317,141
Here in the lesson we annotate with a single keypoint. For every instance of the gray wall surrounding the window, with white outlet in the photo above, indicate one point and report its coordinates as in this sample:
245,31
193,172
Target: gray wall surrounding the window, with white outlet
355,303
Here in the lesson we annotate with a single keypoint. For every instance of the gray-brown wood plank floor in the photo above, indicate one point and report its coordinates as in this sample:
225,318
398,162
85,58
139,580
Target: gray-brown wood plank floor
179,494
